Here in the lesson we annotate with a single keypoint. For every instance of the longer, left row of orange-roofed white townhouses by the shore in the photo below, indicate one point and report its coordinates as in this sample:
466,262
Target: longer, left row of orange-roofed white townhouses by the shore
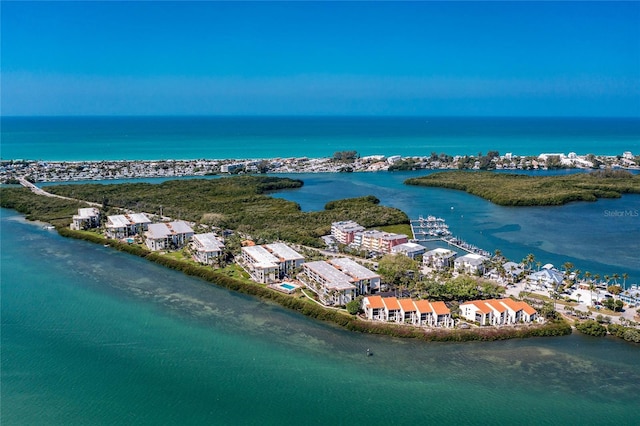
407,311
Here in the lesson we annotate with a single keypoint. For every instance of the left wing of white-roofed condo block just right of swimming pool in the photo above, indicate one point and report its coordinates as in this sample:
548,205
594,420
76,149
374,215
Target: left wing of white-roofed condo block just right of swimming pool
332,286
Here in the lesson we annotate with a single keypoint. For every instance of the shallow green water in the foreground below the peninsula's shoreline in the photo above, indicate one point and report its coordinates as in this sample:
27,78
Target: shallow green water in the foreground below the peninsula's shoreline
91,336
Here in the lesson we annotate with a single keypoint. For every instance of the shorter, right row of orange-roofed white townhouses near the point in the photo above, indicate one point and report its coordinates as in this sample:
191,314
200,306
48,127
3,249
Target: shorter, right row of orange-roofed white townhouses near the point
498,312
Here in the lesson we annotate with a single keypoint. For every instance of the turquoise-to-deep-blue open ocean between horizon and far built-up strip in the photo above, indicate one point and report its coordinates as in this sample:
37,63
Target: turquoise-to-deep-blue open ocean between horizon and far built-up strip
135,138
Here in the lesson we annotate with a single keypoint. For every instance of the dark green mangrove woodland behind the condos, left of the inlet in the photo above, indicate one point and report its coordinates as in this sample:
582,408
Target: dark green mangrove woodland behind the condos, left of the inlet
240,203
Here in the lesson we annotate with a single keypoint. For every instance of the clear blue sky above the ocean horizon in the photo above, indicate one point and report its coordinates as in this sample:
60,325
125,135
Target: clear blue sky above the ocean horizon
303,58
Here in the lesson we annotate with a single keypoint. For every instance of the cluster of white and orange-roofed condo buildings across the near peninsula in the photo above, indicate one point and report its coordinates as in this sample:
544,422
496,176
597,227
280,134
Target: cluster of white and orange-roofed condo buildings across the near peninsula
338,280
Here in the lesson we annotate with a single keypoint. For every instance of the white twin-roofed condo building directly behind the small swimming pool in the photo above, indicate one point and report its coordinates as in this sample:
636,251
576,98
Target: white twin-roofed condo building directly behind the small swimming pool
270,262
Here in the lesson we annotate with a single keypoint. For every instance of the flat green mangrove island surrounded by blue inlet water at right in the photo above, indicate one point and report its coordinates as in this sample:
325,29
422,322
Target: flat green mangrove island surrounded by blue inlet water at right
524,190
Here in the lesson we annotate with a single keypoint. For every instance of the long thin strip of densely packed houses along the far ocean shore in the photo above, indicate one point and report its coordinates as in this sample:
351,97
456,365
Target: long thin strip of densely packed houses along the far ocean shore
60,171
